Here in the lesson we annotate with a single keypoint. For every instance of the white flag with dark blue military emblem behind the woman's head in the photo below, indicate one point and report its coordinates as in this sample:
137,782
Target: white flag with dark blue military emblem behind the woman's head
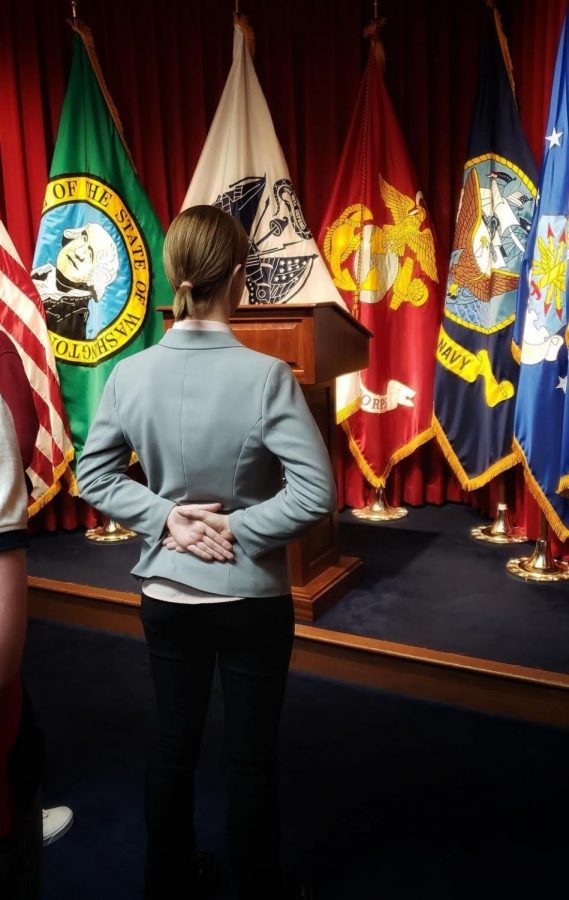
243,171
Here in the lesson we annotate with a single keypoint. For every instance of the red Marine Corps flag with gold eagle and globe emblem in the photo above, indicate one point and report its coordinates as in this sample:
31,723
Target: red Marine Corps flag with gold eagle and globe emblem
379,244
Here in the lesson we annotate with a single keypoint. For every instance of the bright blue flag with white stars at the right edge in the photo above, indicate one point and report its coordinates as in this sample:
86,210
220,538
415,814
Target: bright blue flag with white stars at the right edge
541,335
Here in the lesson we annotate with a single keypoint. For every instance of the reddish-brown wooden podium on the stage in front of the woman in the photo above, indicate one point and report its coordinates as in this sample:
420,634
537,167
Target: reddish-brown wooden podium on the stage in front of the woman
319,341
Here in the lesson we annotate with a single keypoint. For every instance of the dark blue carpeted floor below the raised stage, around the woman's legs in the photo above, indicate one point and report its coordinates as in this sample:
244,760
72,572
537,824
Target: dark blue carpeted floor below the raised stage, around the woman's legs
384,798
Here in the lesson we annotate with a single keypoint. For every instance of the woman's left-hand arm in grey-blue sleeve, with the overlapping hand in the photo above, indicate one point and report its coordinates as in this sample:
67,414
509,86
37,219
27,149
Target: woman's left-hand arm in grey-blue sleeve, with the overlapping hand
105,484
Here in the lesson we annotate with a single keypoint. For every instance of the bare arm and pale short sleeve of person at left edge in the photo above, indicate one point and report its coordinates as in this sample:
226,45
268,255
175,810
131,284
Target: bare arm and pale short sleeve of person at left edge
13,540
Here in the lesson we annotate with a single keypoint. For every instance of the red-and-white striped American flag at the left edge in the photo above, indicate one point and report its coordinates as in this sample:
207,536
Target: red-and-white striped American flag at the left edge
22,318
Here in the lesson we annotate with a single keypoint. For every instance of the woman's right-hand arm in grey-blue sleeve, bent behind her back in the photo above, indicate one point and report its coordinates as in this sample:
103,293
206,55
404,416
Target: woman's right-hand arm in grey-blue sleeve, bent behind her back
309,494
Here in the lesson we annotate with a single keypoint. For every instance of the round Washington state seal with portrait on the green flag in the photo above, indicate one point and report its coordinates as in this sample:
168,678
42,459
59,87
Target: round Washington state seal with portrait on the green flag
93,270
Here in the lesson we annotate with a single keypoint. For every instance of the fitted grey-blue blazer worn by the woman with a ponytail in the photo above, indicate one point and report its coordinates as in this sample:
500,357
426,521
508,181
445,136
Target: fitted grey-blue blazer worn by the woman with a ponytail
209,420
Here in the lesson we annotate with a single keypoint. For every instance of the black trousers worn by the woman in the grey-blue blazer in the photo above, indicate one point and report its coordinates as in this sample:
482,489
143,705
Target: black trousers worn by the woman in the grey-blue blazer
252,641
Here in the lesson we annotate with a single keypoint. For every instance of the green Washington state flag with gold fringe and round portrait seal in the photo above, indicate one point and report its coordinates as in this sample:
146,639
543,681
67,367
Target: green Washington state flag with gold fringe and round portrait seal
98,259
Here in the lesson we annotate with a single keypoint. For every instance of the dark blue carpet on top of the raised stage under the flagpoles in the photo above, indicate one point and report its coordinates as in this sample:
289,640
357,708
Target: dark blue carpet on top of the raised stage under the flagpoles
424,582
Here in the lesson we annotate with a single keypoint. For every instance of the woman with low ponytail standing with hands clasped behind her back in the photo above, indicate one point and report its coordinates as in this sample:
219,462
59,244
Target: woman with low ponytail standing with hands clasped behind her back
214,425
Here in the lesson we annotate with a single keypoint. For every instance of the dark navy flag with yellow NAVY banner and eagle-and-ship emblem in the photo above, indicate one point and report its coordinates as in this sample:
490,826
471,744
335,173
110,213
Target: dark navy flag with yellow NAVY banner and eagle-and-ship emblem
476,374
